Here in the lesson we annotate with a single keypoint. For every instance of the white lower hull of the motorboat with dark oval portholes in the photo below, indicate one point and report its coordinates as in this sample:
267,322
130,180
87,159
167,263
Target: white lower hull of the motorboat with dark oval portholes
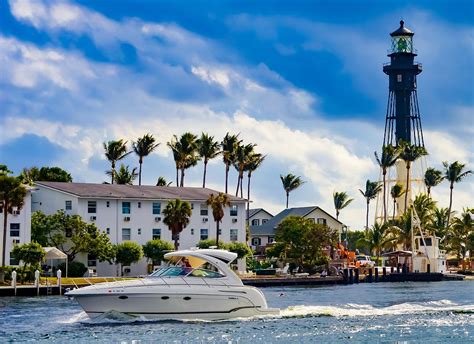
179,305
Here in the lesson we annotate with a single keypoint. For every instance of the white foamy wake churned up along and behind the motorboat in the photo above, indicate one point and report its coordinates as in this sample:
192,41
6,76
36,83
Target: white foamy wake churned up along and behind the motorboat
300,311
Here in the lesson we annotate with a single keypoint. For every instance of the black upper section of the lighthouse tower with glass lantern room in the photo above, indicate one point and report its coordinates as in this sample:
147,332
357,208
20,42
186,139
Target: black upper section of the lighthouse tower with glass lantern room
403,116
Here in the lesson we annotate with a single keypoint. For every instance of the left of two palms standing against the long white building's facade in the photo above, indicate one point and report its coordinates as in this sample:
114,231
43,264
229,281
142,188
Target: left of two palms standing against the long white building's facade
176,217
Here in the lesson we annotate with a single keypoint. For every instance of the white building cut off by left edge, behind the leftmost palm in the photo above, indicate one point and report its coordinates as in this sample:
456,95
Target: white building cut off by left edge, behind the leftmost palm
18,228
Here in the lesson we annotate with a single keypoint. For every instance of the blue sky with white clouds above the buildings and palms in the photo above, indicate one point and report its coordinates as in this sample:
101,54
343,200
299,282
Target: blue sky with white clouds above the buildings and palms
302,79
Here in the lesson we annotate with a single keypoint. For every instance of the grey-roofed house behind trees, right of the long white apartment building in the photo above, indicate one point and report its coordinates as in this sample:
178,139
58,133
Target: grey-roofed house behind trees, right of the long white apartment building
264,234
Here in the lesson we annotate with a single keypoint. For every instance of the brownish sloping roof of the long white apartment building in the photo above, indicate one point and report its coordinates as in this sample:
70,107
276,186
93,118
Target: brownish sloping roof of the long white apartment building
116,191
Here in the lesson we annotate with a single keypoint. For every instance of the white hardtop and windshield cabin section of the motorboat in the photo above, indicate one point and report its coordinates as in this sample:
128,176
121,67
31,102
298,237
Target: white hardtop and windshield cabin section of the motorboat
204,263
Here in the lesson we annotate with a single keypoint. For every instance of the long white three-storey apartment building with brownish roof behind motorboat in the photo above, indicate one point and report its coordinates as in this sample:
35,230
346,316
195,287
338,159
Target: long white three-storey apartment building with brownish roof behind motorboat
132,212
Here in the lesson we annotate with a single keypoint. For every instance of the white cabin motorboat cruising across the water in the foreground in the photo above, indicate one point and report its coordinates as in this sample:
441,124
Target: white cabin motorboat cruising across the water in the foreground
196,284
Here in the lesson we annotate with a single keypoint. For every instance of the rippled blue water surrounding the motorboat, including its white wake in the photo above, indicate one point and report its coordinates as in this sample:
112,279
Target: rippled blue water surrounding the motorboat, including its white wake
439,312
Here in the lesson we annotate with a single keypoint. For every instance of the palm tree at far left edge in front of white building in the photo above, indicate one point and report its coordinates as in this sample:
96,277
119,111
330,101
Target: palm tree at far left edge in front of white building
12,195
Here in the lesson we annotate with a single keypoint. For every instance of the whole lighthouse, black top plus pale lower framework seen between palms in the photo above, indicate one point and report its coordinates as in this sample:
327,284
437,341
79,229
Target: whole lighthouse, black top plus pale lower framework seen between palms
402,121
